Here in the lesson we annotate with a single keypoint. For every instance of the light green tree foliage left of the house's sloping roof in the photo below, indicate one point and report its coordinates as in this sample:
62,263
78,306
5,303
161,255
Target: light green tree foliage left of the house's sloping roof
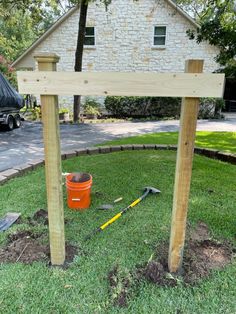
21,22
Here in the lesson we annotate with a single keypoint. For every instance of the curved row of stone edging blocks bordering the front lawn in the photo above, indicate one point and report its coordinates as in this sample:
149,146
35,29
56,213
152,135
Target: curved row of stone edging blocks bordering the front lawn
22,169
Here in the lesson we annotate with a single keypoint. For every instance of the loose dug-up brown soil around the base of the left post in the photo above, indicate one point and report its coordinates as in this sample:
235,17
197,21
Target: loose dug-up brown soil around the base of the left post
26,247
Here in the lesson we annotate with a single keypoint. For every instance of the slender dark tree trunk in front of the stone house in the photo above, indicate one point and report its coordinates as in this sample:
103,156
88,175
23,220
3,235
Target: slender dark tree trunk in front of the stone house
79,52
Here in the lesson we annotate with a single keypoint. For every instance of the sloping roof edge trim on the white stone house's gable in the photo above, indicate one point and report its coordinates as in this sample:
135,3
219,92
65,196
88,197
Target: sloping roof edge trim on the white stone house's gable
72,10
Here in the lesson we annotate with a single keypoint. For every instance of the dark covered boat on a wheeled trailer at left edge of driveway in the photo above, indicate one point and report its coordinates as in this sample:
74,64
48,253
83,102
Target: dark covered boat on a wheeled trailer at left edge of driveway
10,104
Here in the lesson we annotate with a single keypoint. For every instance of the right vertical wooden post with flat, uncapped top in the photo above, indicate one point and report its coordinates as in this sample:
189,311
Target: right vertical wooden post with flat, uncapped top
188,123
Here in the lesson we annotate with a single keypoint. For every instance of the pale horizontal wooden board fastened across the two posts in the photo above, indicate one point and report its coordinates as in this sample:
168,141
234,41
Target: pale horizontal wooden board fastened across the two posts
121,84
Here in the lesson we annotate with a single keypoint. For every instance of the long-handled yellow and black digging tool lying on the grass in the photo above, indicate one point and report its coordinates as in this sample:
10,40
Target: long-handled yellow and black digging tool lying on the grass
147,190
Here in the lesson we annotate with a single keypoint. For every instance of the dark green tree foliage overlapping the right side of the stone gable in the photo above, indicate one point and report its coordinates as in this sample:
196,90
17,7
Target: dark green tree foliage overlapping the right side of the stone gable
217,20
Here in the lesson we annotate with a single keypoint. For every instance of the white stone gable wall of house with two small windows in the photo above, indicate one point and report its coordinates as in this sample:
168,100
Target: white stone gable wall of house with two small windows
131,36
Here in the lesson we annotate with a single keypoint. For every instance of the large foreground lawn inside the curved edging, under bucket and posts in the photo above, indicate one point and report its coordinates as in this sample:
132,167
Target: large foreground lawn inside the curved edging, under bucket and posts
83,287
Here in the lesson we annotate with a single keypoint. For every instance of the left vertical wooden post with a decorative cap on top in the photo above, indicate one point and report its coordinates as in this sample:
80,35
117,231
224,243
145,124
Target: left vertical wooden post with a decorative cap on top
51,135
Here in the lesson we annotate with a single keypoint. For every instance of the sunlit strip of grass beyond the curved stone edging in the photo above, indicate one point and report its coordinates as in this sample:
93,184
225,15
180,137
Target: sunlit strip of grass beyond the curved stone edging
223,141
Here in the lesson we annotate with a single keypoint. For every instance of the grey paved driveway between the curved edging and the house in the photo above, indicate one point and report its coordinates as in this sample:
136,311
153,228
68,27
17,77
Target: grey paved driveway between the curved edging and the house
25,144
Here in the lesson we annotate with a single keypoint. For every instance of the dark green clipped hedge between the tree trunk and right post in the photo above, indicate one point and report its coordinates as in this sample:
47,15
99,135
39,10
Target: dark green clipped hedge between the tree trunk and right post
143,106
